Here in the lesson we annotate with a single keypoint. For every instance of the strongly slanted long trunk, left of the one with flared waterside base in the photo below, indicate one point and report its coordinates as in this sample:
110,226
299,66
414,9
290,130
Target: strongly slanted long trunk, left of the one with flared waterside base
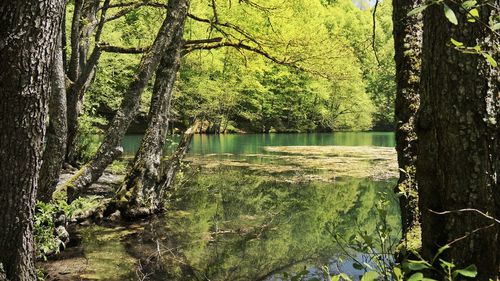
111,145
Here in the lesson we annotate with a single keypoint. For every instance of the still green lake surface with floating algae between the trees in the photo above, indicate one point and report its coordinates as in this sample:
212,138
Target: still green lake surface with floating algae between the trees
310,209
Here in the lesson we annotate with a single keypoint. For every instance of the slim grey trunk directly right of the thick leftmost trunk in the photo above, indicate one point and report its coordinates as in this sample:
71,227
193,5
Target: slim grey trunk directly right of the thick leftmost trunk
55,148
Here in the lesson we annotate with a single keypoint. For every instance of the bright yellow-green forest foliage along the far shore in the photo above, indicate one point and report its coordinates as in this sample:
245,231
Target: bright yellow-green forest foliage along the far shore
306,66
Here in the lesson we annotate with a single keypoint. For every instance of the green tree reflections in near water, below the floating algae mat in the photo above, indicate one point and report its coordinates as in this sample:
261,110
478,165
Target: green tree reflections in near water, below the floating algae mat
232,225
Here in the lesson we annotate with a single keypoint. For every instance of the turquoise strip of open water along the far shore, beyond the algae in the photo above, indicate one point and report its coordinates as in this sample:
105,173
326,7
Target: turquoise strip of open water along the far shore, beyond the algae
254,143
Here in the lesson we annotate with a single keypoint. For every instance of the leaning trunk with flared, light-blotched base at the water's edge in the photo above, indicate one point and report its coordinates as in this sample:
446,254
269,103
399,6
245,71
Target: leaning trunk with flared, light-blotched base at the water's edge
139,189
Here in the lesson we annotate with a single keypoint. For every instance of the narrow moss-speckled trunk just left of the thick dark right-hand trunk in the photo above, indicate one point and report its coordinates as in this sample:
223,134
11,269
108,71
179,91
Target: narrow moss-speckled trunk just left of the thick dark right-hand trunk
408,46
